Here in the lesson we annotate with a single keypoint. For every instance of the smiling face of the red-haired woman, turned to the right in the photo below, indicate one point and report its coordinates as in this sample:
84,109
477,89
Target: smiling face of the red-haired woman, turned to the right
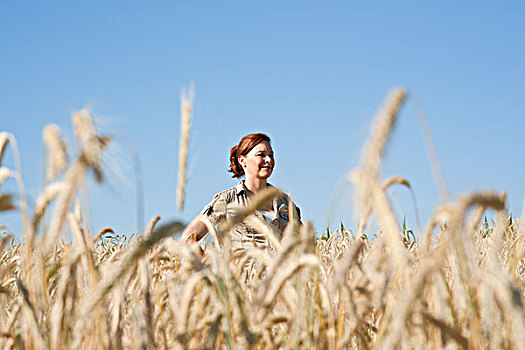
259,162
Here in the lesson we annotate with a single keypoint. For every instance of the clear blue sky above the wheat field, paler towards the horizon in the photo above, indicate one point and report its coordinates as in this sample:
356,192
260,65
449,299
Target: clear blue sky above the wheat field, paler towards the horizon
310,74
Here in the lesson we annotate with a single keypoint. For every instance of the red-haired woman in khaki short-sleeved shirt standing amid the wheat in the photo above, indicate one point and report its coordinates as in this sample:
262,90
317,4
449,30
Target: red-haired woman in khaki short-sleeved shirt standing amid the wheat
252,158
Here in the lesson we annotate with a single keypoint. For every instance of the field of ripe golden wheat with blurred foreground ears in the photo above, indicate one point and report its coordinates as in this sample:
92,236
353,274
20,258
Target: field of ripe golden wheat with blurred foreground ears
459,283
